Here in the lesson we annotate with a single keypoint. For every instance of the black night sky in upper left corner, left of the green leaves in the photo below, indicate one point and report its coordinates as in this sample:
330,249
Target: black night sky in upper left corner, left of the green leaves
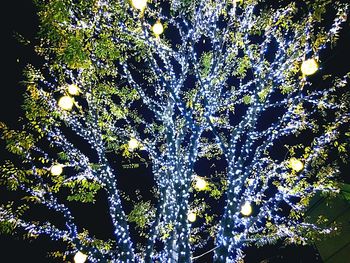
19,17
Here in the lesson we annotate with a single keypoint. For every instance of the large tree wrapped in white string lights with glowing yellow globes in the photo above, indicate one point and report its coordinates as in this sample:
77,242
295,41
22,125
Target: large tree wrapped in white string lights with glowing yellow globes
185,81
